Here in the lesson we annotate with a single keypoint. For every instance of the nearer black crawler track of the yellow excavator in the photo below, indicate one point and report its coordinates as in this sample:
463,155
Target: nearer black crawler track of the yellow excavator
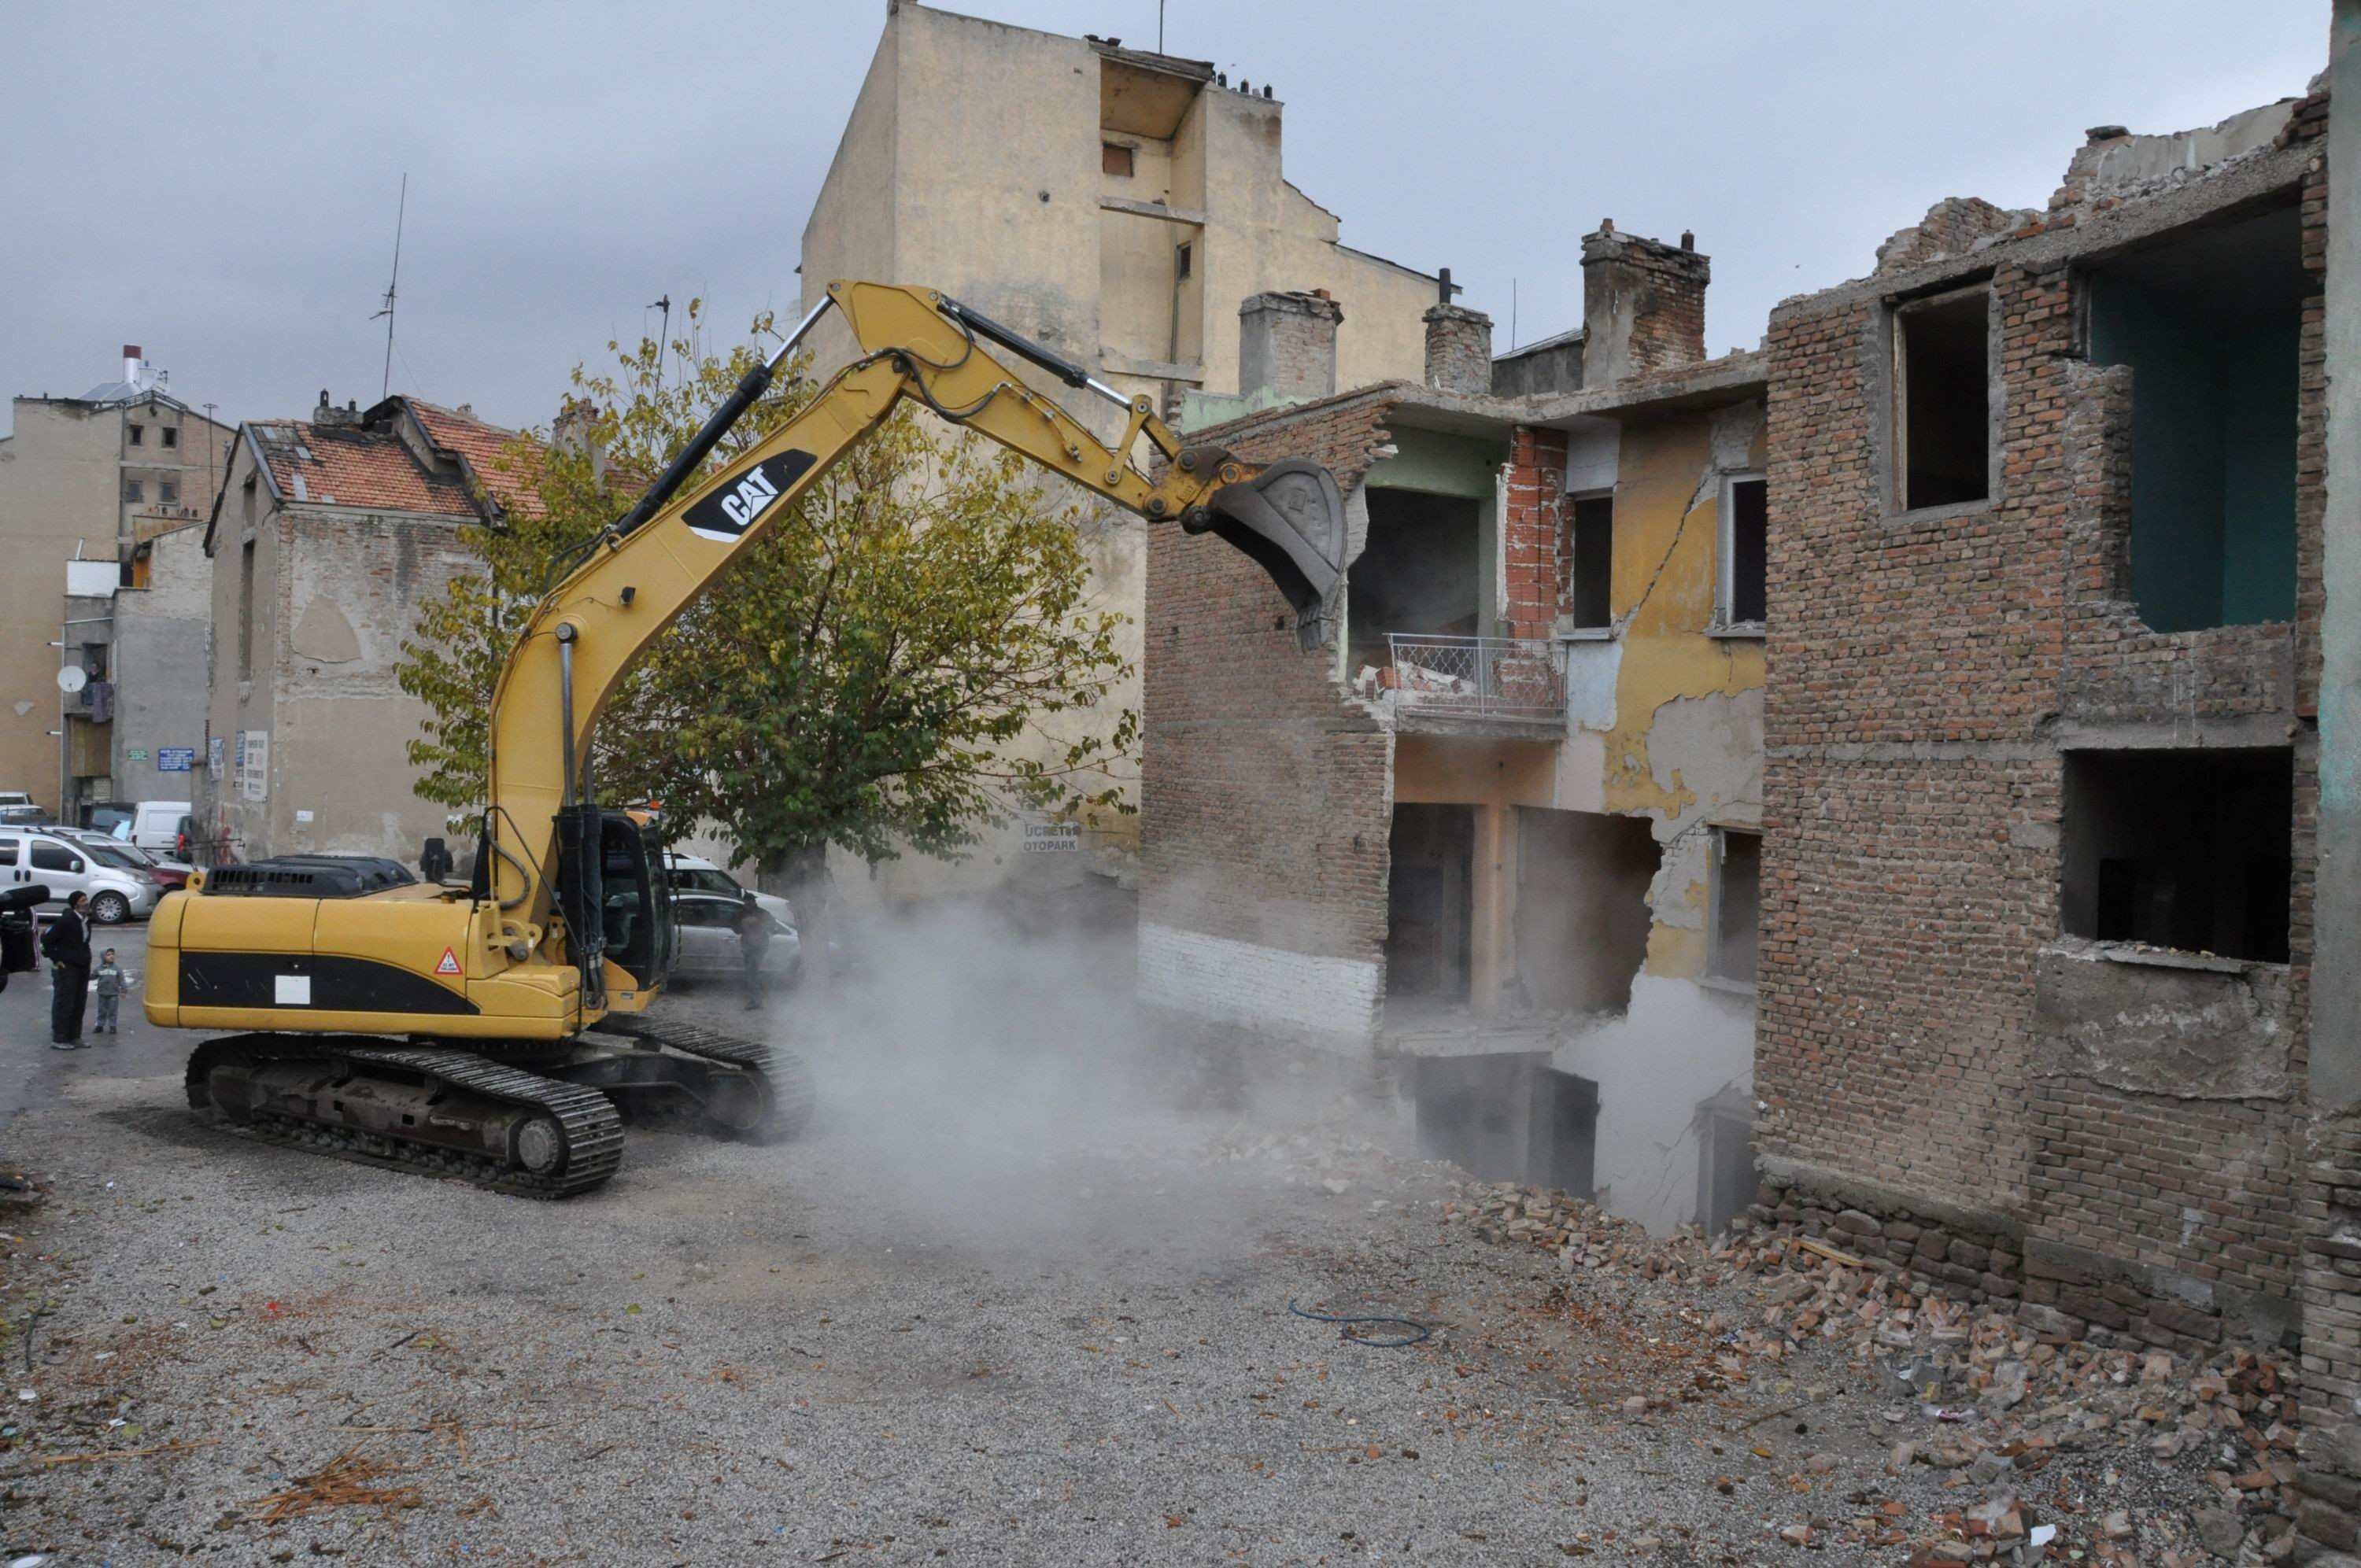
577,1132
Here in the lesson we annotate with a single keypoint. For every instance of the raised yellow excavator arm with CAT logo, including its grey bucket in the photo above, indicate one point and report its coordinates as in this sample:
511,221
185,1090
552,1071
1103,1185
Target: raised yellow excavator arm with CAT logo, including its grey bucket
542,832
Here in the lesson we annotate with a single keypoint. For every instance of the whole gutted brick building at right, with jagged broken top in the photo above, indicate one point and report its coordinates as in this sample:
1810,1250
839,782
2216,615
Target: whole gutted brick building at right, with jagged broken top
2041,736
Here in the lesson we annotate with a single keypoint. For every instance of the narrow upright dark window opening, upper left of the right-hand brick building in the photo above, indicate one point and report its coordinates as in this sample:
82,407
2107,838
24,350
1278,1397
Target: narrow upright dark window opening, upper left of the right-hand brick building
1942,398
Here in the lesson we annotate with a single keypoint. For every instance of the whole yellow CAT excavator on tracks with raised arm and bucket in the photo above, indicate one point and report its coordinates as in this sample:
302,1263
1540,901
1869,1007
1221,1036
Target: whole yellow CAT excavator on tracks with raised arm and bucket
492,1033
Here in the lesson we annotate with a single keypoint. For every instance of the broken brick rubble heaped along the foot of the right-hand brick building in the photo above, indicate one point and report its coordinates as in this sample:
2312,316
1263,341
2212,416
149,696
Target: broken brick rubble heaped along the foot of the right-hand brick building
1982,1397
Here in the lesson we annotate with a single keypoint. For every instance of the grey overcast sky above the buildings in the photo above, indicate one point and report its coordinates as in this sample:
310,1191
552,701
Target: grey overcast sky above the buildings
218,183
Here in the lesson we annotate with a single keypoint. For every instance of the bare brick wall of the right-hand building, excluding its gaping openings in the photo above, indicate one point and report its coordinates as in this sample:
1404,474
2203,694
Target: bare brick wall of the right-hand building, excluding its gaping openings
1923,672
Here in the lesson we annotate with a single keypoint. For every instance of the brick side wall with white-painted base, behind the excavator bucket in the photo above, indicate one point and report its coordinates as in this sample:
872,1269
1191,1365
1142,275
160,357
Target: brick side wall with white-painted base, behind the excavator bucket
1267,799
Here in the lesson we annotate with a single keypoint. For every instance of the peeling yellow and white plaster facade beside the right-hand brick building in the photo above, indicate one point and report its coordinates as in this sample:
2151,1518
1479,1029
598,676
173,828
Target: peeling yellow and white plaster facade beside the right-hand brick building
1663,729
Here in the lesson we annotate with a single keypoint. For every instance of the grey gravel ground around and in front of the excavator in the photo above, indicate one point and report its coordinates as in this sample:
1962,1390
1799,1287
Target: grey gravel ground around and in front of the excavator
990,1309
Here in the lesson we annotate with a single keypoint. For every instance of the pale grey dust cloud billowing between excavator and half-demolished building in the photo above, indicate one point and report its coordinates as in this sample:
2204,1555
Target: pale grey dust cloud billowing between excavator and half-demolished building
993,1083
